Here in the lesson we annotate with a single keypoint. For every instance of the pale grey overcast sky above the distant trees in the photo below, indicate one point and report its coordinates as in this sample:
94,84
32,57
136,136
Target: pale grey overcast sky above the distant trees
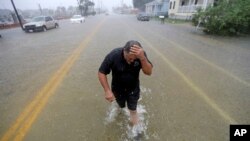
33,4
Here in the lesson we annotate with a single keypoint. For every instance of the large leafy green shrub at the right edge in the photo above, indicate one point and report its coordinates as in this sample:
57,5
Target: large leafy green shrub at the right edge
227,18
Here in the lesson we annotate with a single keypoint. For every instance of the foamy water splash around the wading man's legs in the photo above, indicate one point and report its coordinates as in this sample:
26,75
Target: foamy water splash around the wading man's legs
120,119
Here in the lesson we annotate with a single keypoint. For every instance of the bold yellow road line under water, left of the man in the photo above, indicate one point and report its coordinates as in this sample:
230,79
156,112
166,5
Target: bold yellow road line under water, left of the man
25,120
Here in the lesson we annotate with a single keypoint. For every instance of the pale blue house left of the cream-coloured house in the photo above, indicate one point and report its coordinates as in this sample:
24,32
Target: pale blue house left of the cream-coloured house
157,7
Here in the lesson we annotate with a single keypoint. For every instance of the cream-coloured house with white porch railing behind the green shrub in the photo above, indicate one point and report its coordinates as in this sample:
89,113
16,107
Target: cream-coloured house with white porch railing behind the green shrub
184,9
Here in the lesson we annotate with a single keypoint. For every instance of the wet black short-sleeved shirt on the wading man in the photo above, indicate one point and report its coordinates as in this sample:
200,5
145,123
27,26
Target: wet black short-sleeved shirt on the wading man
124,76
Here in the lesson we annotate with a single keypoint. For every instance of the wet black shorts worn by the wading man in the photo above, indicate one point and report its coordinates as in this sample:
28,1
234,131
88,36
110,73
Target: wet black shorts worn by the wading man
129,97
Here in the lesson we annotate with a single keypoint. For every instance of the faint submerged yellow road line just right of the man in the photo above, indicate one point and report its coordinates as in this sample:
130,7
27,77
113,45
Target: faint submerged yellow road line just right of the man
189,82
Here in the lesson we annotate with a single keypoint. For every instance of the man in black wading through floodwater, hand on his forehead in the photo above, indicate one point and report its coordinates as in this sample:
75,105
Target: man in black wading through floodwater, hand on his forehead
125,64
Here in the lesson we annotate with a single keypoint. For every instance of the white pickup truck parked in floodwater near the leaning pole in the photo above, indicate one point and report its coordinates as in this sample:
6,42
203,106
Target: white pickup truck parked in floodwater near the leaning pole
41,23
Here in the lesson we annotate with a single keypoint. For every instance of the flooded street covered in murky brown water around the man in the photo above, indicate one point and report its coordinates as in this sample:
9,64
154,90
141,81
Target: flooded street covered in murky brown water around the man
49,88
